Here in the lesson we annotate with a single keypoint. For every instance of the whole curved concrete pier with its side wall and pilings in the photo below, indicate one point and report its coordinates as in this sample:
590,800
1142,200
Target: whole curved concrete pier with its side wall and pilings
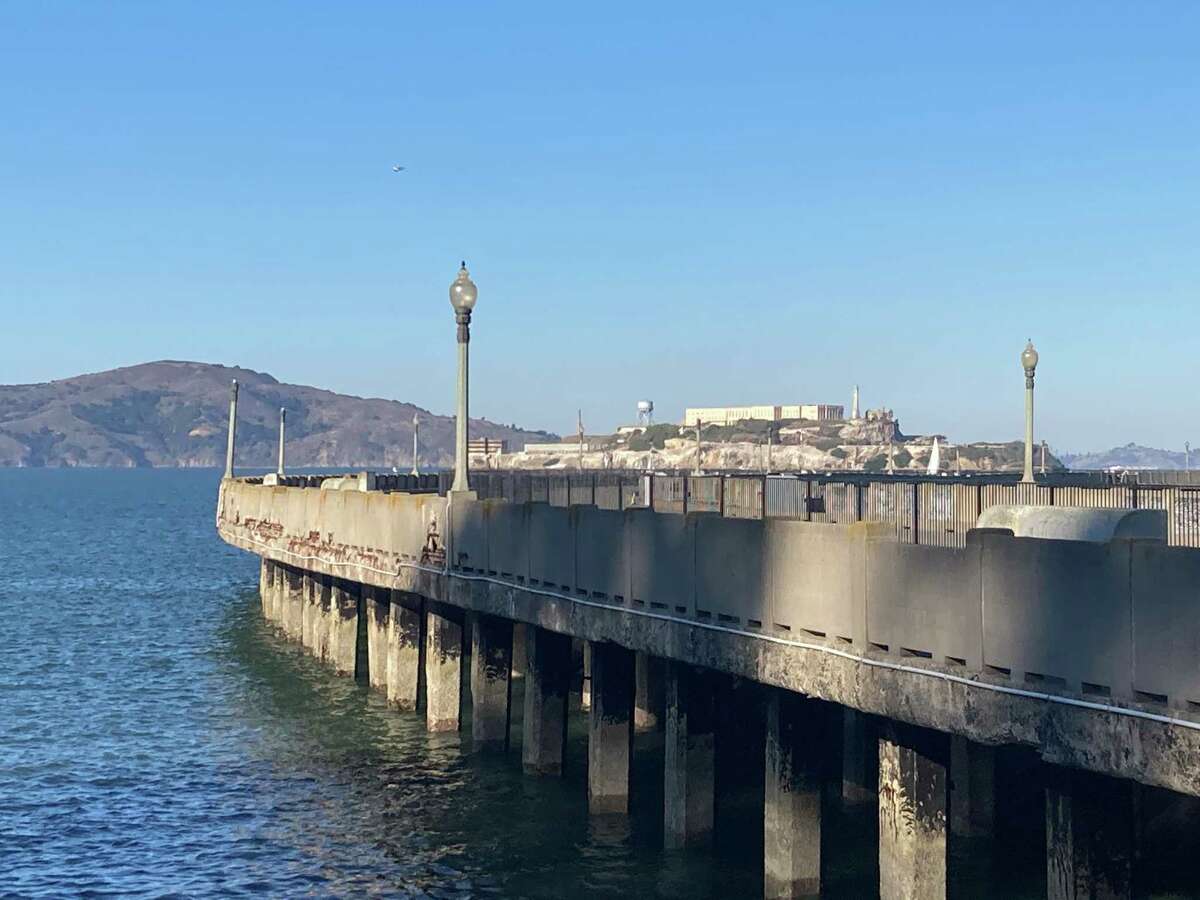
1070,639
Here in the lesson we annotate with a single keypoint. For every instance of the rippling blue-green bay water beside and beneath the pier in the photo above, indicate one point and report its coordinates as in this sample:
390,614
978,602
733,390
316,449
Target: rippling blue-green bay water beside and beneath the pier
159,740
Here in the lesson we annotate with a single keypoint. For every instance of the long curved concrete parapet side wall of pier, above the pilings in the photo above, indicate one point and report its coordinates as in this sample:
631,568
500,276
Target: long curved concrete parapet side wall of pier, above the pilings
1010,640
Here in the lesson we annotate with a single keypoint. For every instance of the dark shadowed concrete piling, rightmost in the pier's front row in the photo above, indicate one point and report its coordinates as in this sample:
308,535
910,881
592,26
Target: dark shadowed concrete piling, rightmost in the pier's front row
1090,837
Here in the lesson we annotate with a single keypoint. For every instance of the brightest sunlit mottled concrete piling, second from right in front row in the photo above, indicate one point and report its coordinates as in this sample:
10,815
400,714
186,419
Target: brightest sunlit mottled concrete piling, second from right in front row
914,795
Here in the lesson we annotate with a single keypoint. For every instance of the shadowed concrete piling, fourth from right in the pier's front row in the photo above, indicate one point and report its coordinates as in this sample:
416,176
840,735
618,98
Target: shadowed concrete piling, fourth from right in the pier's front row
689,758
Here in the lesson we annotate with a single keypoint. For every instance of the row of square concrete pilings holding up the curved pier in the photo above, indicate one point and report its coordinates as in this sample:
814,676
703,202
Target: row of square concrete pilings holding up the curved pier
928,789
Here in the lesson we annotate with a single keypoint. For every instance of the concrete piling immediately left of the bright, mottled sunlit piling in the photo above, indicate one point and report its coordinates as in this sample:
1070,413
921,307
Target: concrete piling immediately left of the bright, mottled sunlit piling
796,735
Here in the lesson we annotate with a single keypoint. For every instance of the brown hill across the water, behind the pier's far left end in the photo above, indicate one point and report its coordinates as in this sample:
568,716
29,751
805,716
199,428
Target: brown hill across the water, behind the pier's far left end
175,415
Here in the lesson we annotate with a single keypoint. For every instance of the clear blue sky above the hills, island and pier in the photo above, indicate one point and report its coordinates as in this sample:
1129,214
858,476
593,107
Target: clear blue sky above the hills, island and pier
695,203
